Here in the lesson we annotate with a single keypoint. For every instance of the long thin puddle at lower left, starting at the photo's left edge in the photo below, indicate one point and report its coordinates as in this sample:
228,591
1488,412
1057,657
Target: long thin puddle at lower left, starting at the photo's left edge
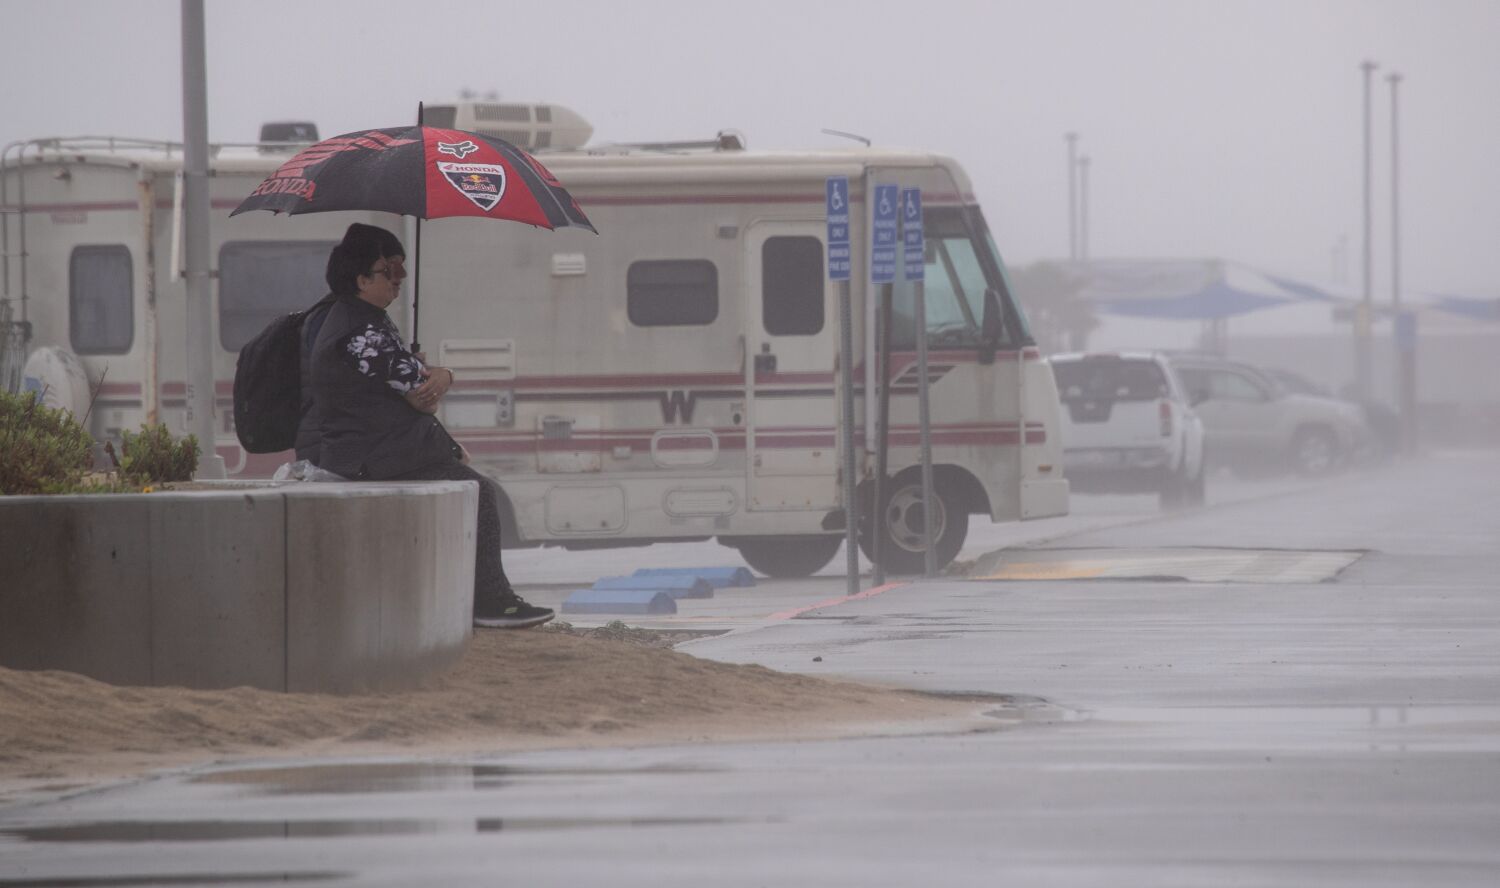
154,832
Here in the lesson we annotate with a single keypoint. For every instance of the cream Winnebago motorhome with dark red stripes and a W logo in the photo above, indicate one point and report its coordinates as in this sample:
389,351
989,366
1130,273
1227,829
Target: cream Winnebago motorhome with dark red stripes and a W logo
674,377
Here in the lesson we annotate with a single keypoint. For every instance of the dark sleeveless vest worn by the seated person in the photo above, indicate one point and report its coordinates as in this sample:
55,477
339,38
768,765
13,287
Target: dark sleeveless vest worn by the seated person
367,430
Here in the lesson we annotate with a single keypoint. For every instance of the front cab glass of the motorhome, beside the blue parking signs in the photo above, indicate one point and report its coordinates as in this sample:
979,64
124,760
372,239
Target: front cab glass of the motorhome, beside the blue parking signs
962,265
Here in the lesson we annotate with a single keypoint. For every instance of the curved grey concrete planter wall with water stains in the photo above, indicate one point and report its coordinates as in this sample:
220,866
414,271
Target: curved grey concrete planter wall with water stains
298,587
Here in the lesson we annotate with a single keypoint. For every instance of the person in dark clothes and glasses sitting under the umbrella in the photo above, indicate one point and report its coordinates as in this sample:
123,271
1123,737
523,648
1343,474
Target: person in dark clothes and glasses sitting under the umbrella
374,404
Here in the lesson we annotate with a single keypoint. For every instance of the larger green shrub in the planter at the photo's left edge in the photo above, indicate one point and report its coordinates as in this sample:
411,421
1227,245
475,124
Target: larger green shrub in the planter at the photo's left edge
43,451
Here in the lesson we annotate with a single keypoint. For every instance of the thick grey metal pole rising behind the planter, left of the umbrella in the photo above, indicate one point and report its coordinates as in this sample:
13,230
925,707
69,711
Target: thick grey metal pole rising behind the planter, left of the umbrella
196,233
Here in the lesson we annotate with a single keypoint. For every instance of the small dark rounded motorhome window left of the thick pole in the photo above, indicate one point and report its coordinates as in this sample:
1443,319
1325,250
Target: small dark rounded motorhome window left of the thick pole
101,319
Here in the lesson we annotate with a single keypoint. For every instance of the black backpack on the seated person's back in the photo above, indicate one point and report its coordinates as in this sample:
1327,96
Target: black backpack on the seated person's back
268,386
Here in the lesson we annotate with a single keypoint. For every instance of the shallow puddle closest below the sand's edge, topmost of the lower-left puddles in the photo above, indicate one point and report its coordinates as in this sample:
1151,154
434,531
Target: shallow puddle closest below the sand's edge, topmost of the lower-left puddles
409,778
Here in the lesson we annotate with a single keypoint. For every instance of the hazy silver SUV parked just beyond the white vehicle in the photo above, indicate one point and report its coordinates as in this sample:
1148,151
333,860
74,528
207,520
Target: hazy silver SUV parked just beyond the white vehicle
1255,424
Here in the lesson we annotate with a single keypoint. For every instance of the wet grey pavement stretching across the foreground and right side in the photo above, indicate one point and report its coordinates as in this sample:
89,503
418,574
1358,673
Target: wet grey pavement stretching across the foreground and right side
1262,730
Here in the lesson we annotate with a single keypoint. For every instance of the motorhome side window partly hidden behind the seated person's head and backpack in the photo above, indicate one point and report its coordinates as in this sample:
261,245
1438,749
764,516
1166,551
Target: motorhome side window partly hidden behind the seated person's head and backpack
262,280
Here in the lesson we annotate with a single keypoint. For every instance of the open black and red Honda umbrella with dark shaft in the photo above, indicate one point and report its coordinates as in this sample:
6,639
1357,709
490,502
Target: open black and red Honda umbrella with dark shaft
422,172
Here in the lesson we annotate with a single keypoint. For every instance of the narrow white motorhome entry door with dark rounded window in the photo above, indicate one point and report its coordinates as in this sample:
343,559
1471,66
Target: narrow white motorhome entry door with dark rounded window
791,412
